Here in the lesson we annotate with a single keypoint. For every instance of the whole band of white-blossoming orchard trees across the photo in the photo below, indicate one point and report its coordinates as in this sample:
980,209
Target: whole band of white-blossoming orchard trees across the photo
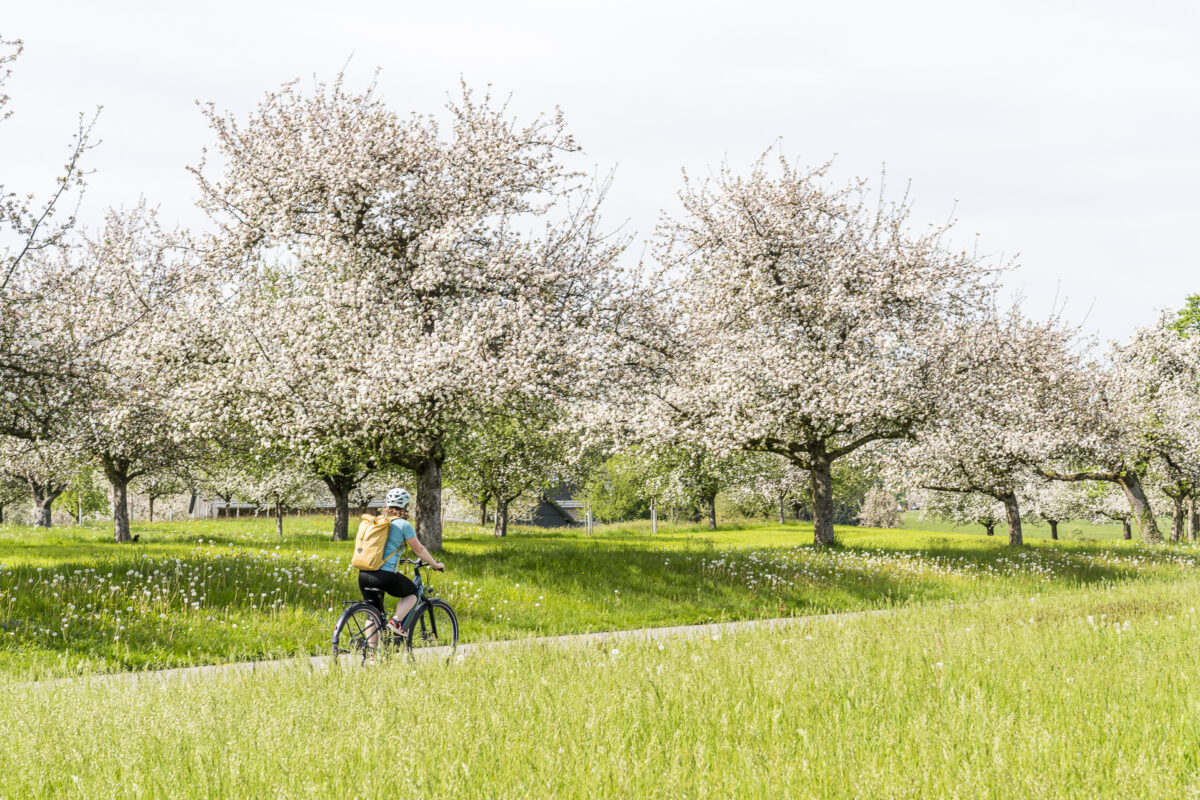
435,299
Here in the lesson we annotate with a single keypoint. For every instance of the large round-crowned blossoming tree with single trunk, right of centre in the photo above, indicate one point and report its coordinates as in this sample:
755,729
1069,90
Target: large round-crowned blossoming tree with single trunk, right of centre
811,321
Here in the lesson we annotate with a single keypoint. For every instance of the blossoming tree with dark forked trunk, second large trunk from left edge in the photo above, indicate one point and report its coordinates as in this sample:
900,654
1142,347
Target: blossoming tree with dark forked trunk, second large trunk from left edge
130,413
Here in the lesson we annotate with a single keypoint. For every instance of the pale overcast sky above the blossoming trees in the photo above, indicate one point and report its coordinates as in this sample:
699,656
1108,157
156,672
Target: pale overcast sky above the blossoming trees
1065,133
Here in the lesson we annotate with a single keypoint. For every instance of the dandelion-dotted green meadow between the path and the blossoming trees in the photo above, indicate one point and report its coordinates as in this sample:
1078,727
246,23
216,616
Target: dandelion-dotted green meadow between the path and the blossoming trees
73,601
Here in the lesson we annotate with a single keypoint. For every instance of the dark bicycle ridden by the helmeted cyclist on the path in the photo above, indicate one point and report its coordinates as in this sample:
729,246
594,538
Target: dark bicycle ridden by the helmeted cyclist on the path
362,633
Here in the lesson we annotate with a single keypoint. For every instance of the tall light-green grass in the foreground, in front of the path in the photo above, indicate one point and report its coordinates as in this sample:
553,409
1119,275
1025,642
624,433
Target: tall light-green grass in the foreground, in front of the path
1078,694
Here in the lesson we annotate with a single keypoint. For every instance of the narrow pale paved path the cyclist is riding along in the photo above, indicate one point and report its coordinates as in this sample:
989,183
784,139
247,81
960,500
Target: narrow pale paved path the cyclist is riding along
466,651
